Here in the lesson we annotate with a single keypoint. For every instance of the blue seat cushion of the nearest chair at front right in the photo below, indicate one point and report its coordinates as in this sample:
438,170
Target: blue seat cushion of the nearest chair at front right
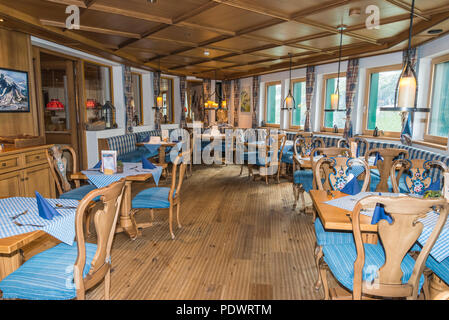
341,258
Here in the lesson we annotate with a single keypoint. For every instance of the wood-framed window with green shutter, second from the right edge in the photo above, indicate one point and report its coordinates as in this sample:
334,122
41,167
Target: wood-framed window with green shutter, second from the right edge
382,84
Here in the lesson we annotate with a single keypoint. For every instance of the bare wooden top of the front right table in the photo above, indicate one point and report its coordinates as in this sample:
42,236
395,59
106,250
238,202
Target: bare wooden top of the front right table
338,219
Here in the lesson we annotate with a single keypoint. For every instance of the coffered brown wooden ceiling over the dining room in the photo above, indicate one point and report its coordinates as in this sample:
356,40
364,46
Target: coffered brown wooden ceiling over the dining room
243,37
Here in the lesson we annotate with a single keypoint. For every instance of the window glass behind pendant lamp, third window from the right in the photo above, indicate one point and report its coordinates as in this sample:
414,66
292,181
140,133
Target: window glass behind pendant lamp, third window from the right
335,118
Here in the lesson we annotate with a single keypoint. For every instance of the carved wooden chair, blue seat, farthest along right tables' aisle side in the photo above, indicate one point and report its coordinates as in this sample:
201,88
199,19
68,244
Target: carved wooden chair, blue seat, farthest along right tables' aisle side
303,146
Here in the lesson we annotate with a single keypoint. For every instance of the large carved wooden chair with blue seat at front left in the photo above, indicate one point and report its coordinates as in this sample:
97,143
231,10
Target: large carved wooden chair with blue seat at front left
66,272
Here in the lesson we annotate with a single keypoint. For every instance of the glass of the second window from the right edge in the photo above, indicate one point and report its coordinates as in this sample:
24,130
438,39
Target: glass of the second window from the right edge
382,91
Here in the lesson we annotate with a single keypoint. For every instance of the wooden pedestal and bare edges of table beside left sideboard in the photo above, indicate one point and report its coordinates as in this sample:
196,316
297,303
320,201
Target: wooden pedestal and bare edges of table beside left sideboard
127,222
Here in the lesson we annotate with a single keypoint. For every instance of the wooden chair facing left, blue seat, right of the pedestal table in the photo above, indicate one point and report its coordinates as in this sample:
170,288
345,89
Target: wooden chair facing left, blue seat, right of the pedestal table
164,197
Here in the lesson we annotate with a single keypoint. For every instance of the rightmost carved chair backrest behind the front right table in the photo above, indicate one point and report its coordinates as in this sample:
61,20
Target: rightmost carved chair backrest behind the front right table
417,179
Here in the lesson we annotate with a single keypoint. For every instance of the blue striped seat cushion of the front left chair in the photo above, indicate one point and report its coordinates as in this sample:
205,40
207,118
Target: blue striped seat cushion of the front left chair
47,275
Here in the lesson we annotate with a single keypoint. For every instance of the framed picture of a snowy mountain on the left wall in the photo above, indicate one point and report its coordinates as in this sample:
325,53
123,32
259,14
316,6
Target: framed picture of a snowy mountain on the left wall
14,91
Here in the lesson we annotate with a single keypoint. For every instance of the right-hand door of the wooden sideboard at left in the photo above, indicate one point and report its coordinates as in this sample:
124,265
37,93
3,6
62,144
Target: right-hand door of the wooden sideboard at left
39,179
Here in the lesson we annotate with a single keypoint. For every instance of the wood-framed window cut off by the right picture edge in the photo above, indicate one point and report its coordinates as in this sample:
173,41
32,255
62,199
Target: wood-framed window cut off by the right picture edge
438,118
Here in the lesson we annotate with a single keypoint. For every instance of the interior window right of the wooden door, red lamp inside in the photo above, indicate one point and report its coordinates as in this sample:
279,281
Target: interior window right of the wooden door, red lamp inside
97,89
